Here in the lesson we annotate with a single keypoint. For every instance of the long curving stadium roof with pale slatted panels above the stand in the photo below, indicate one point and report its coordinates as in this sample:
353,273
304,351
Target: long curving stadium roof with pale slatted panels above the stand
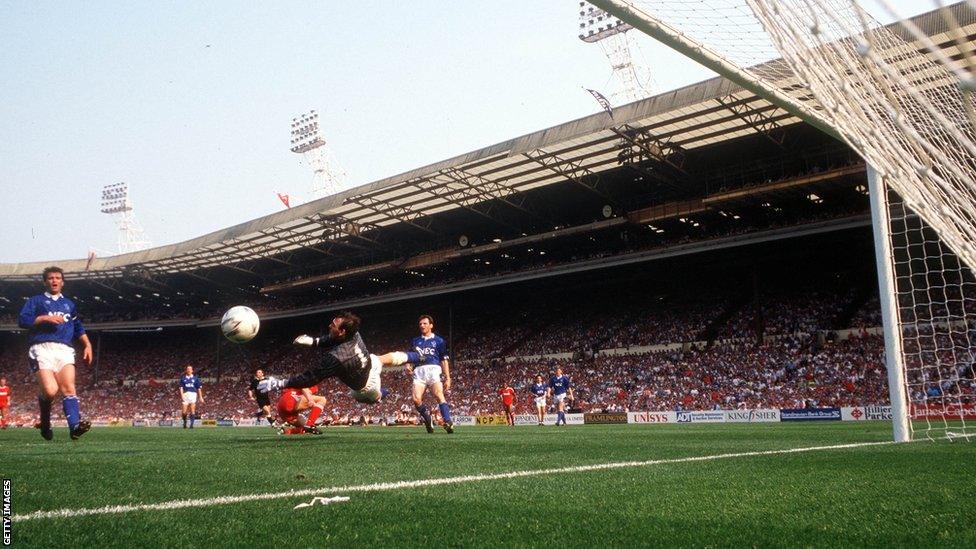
661,128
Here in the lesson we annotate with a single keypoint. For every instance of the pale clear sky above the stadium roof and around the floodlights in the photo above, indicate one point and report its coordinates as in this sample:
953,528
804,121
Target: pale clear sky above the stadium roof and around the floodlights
189,102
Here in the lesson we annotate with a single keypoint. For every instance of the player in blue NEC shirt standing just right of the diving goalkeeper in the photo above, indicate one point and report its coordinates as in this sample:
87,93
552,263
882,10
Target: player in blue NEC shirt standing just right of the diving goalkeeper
429,360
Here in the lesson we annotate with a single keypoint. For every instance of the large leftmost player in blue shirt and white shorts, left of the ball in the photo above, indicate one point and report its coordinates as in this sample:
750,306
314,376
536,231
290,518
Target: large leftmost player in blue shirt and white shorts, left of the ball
51,320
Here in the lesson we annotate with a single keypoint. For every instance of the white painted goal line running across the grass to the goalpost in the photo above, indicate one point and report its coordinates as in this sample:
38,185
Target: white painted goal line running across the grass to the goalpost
387,486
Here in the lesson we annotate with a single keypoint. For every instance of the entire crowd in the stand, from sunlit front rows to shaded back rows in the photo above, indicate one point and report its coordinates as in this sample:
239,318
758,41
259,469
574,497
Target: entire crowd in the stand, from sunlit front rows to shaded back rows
137,372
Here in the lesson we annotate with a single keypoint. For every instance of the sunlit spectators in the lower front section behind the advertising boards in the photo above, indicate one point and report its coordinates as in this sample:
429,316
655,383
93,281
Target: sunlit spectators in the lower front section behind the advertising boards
788,373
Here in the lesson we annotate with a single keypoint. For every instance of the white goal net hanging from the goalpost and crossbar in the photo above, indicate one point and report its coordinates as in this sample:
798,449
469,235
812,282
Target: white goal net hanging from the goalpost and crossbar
900,95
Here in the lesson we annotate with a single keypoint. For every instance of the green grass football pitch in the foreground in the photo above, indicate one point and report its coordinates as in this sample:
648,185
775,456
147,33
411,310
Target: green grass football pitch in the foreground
594,486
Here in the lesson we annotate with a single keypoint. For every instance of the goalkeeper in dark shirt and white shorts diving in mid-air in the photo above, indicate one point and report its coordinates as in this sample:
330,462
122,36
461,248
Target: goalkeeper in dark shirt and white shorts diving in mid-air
347,359
